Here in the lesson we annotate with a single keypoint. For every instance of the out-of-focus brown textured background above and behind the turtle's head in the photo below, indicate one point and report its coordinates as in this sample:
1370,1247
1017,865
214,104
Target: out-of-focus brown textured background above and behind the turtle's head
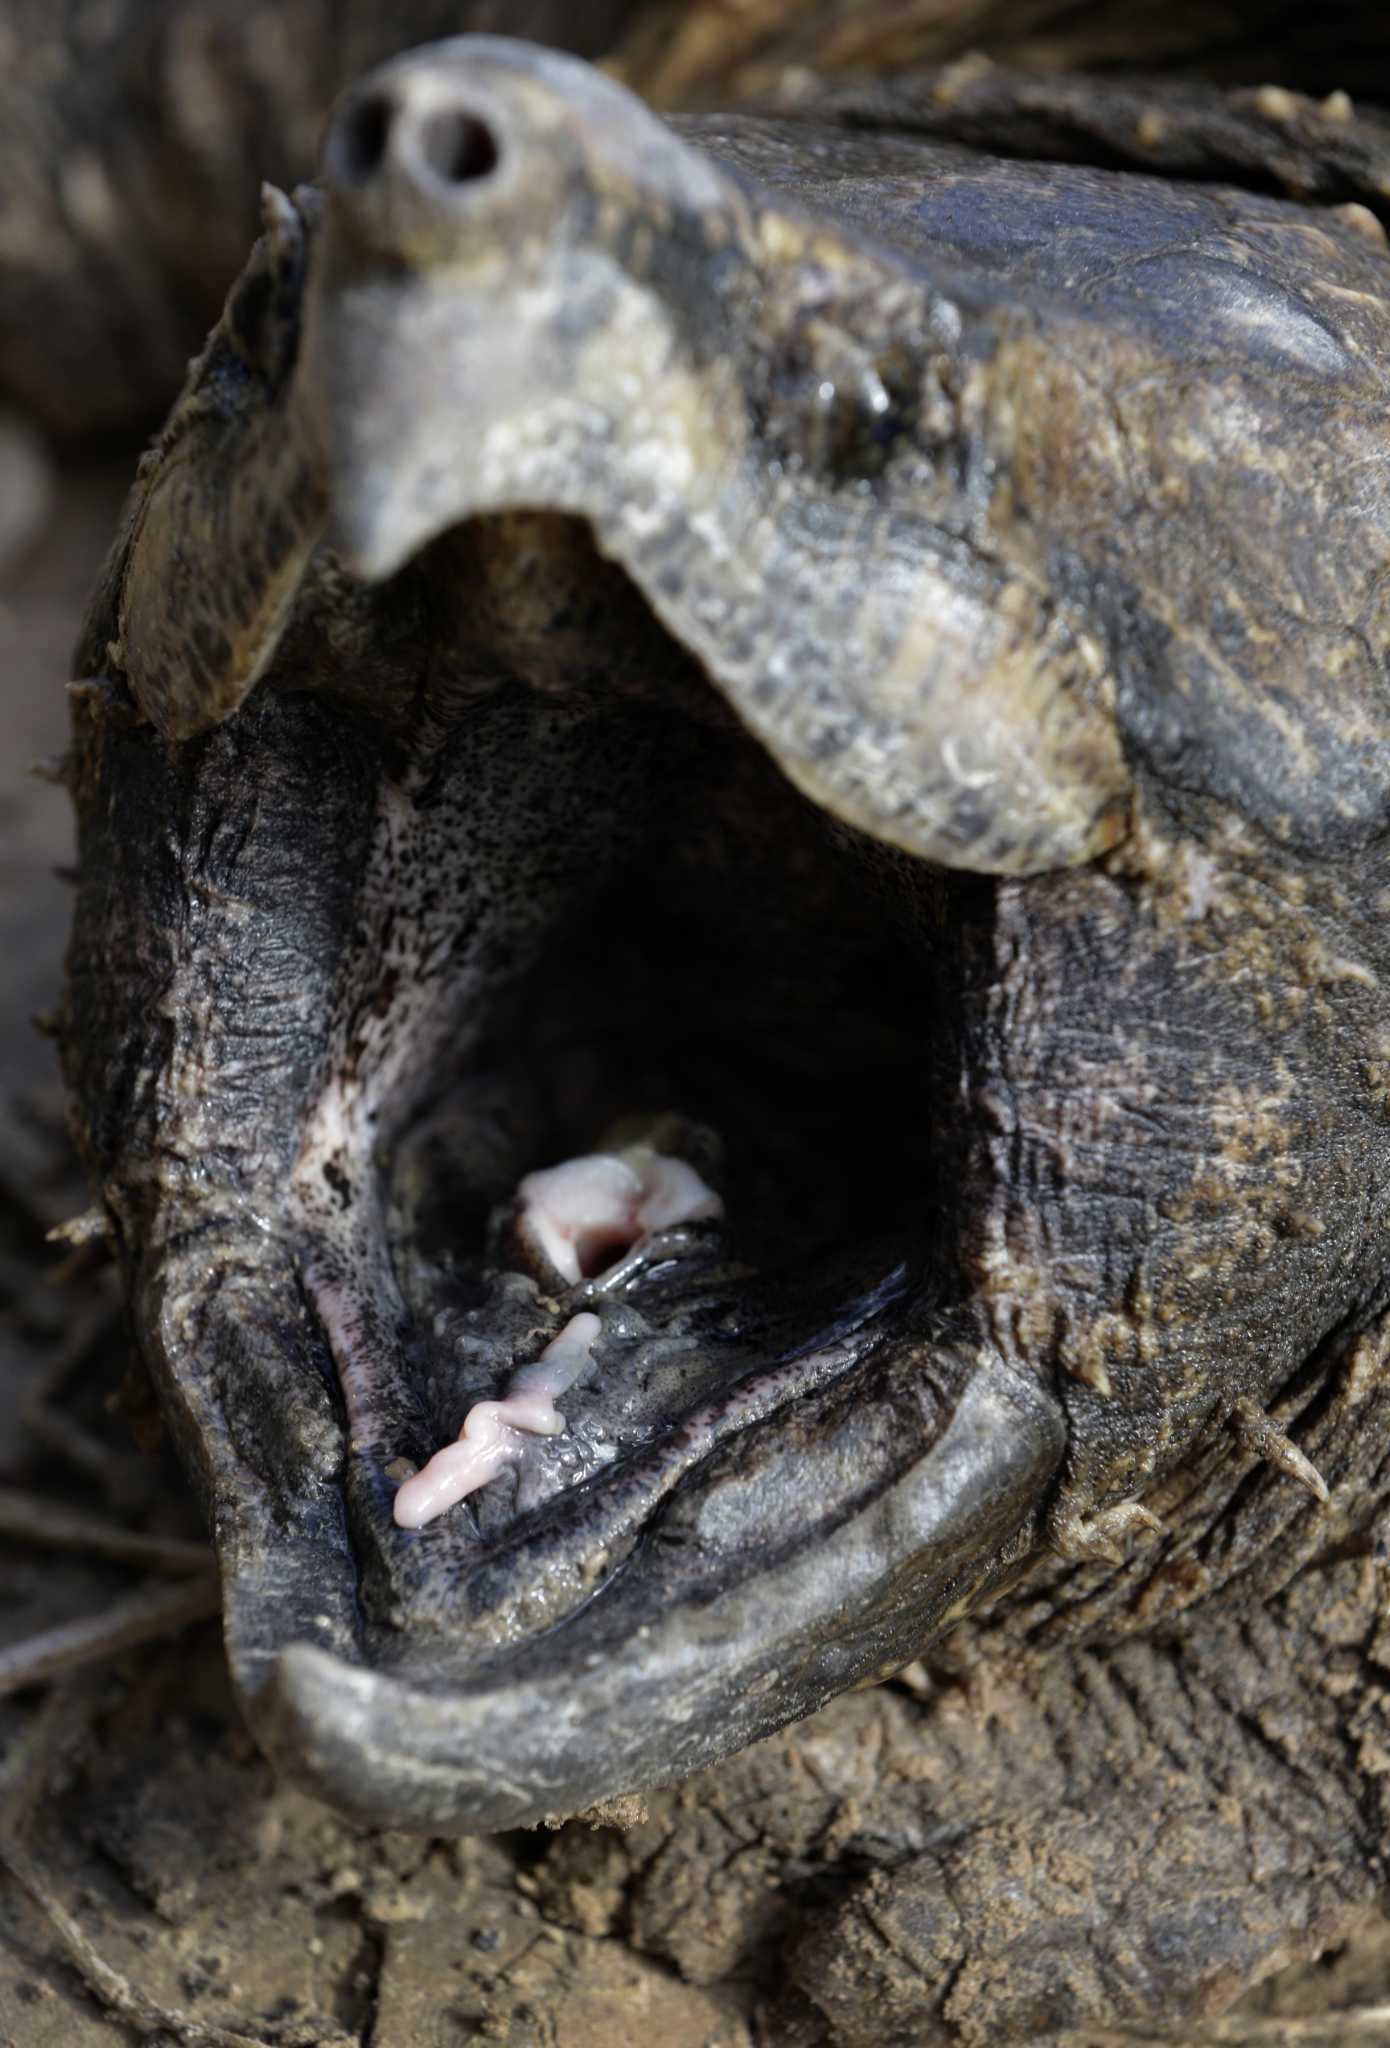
136,136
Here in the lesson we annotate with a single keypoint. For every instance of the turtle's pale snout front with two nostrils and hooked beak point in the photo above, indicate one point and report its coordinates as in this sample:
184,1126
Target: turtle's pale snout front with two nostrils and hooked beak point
476,333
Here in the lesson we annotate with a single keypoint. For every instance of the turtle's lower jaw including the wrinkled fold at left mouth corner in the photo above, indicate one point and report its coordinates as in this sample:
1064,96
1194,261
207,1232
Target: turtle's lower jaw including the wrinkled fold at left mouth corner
851,1480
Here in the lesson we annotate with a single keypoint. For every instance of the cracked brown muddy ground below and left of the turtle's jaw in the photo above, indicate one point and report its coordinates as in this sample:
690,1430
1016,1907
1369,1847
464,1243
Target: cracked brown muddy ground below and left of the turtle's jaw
171,1889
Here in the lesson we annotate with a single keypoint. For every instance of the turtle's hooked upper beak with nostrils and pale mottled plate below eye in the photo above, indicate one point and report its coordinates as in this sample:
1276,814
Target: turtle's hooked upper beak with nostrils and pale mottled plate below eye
531,294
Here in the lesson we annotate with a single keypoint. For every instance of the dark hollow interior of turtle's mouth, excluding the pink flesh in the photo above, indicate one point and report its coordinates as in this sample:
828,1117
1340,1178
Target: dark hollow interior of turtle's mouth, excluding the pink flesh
658,937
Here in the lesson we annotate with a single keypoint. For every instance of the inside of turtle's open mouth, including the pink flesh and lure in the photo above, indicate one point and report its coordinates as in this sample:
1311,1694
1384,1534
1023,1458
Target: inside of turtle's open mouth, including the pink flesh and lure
642,1066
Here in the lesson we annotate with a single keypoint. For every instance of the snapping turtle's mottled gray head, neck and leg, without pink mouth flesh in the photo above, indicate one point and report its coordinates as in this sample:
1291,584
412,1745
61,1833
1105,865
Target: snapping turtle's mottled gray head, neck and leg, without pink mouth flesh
877,648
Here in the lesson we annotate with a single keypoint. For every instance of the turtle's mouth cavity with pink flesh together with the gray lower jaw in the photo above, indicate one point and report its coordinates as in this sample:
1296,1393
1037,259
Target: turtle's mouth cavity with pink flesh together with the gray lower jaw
625,1213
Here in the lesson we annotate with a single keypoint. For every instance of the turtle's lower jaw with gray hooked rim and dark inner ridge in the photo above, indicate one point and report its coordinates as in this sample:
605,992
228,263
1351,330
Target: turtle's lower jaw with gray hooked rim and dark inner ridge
801,1535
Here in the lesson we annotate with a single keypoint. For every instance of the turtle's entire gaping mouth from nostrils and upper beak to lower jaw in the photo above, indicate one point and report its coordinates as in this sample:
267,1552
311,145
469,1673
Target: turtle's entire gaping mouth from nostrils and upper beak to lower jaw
564,1267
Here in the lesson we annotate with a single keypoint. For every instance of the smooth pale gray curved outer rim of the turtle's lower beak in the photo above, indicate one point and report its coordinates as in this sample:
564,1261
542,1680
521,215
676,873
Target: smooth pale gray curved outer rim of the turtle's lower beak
683,1658
